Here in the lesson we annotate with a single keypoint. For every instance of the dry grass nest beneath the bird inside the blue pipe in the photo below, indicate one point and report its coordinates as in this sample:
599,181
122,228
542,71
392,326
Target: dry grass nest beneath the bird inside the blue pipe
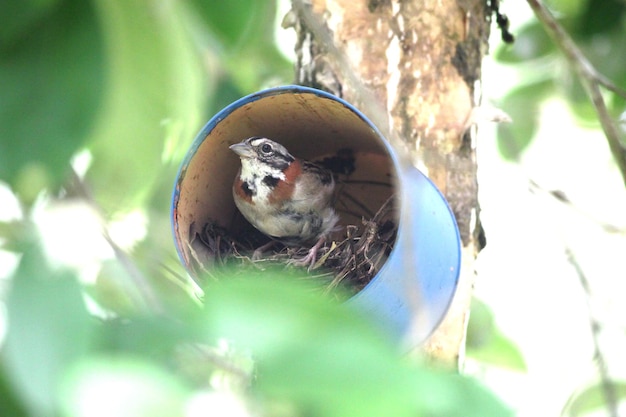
349,262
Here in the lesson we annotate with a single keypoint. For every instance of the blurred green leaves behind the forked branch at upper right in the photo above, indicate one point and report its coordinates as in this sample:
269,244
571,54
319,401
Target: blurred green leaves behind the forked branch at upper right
598,27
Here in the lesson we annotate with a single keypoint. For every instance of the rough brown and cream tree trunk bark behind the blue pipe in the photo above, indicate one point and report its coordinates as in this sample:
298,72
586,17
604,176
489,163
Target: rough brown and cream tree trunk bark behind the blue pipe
413,67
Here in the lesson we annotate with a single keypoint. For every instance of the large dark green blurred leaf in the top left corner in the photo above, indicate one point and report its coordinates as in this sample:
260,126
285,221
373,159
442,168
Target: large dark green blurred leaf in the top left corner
51,83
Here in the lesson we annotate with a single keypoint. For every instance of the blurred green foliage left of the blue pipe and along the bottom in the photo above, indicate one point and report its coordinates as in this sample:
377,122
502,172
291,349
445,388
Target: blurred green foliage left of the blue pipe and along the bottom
100,101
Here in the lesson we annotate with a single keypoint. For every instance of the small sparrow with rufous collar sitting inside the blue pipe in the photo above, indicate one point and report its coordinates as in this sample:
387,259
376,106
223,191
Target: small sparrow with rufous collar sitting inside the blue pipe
286,198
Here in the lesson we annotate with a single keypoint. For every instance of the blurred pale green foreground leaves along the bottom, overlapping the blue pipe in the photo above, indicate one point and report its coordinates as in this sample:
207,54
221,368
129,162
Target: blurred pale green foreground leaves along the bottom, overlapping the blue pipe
290,350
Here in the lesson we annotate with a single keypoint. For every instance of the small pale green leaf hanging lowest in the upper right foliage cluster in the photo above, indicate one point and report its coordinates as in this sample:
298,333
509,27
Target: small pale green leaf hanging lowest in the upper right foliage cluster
522,105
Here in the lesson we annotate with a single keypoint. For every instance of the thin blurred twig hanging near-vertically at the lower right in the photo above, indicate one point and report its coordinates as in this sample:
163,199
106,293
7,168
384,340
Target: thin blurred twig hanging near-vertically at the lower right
607,385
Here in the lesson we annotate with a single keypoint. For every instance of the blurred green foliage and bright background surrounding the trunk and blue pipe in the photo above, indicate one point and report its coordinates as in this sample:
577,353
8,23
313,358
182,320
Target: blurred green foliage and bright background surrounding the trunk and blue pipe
105,323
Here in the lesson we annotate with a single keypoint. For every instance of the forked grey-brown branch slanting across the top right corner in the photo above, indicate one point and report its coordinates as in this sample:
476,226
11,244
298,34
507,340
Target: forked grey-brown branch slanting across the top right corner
590,78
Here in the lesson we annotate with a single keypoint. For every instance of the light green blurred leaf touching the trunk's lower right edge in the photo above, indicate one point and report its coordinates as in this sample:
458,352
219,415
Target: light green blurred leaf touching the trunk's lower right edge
487,344
